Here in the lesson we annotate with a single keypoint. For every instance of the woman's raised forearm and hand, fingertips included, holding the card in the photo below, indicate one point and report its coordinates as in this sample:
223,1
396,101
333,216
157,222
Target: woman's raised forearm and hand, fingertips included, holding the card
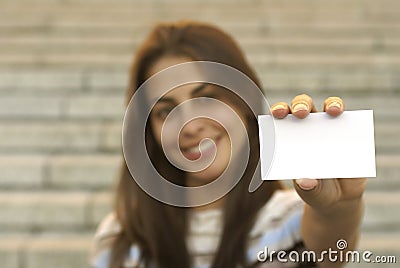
334,206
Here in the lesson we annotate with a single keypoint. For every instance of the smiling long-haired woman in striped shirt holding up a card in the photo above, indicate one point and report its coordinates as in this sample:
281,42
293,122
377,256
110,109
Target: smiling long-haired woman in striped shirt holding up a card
231,231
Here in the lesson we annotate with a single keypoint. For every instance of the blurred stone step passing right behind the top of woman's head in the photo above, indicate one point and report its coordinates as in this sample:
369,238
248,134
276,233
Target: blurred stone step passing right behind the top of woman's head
260,31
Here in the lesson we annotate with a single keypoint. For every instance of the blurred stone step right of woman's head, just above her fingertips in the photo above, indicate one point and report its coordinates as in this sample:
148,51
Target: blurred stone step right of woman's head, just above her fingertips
337,81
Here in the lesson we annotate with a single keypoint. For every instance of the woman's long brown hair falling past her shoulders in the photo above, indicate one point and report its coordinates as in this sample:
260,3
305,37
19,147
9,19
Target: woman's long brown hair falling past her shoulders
159,229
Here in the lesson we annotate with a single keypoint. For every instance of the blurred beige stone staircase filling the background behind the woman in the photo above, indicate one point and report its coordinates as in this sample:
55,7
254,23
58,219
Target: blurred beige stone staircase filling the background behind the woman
63,73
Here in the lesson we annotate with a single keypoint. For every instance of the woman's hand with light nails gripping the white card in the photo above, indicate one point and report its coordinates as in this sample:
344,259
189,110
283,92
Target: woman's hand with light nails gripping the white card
326,193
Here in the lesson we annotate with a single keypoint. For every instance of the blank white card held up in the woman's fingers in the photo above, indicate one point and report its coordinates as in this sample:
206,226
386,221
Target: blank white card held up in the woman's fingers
318,146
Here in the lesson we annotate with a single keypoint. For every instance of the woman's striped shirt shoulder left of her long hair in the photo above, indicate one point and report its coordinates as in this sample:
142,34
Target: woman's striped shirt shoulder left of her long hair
106,232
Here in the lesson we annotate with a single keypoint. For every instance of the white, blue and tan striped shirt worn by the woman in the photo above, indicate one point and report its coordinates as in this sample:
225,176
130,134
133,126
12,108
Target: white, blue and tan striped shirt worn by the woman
277,228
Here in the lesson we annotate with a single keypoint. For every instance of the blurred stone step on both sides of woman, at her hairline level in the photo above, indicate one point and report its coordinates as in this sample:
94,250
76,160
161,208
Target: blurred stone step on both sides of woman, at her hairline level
115,58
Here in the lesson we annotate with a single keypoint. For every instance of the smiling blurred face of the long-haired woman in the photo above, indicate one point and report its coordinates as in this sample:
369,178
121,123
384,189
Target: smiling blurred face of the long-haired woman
198,136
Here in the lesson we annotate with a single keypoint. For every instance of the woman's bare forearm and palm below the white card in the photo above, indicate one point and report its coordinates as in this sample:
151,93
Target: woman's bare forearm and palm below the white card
326,221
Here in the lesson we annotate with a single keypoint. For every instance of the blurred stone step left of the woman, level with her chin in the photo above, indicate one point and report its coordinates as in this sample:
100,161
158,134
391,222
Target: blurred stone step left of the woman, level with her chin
64,172
